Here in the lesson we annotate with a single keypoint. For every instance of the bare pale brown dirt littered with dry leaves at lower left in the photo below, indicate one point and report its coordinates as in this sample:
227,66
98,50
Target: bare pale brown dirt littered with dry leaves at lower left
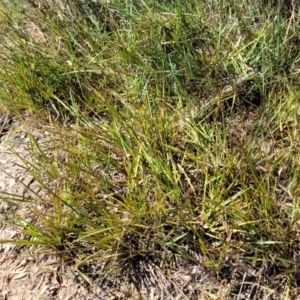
26,273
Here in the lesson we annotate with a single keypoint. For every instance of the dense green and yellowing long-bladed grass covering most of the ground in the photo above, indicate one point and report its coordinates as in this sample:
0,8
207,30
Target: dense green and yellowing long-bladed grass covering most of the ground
174,139
